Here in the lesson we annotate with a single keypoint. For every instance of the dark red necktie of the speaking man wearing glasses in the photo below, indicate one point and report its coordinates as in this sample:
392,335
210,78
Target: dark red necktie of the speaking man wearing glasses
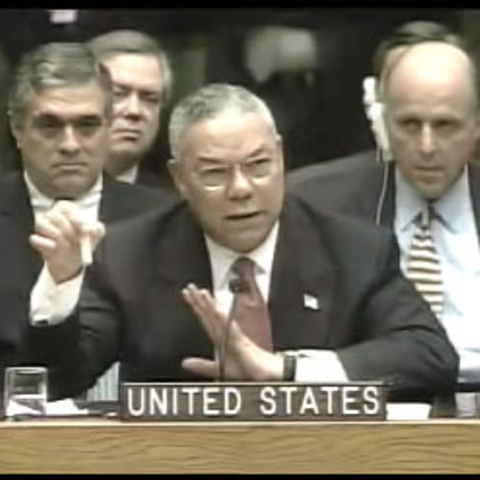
249,309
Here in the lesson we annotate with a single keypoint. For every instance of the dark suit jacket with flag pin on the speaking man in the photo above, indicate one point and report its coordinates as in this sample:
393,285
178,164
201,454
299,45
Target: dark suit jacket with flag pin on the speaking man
133,309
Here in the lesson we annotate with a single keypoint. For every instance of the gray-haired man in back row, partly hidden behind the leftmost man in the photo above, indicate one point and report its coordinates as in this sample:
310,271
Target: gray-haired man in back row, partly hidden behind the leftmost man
142,83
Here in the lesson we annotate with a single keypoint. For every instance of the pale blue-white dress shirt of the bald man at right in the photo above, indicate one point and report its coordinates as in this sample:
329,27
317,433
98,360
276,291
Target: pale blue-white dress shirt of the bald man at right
455,236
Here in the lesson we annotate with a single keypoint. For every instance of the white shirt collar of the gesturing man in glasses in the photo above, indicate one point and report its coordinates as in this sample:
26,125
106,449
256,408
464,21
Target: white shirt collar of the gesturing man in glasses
222,258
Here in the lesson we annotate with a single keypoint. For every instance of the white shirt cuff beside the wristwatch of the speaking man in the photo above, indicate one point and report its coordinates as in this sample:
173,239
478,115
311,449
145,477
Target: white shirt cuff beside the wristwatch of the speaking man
322,366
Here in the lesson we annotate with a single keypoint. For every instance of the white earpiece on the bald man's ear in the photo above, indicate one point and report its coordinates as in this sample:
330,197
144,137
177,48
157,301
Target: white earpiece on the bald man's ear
374,112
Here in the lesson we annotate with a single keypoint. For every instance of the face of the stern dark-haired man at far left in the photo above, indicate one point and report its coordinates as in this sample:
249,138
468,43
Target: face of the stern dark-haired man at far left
63,139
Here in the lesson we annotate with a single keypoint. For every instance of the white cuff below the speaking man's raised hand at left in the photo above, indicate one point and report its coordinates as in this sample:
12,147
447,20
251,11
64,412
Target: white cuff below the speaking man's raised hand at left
52,303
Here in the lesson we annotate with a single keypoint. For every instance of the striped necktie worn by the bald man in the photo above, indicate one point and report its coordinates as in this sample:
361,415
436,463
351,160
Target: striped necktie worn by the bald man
423,264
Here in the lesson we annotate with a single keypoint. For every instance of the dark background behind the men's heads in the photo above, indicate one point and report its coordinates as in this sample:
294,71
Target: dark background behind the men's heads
320,120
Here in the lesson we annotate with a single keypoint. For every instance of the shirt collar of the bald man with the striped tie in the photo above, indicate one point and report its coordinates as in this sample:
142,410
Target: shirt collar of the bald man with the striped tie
449,208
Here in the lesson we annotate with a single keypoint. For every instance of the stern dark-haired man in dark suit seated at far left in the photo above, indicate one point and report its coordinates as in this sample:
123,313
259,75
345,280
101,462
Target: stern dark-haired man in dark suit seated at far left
60,110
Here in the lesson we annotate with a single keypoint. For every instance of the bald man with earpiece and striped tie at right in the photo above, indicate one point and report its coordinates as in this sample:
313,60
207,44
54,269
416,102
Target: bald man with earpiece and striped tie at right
431,114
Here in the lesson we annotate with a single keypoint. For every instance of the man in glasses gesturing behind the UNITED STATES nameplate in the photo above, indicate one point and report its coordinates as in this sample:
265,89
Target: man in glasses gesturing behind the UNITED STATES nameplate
339,307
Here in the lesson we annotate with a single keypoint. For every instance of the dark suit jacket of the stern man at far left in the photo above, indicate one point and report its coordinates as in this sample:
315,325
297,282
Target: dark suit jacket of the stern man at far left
21,264
